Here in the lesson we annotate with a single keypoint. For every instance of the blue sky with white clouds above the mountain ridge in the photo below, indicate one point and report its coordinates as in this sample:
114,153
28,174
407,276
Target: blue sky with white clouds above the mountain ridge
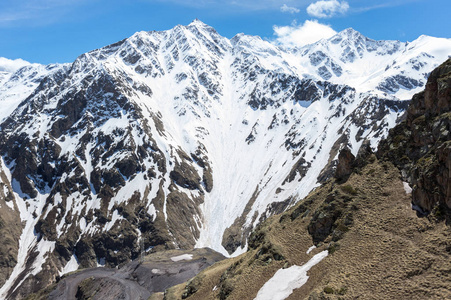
48,31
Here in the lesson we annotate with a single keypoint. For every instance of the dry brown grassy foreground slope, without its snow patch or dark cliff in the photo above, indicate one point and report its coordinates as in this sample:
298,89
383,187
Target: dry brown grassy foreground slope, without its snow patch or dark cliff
382,250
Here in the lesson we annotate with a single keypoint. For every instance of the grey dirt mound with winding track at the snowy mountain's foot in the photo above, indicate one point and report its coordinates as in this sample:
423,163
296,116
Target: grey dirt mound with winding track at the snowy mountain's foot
136,280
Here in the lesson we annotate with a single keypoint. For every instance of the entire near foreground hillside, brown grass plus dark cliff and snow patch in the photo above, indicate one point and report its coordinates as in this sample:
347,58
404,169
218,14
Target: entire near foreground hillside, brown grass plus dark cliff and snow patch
360,234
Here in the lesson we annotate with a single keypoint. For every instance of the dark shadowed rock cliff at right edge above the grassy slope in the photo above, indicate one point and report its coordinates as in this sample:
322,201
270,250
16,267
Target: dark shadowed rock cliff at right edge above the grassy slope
420,146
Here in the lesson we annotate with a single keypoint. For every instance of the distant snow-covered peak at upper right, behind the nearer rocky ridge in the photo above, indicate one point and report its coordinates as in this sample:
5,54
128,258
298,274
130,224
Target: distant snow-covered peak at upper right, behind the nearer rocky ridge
391,67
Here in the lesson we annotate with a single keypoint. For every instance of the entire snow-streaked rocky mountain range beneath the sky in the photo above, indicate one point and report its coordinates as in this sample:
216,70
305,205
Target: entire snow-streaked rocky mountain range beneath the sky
184,138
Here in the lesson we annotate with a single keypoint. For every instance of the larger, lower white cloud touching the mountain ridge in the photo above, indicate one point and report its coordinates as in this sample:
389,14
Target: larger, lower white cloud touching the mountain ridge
302,34
